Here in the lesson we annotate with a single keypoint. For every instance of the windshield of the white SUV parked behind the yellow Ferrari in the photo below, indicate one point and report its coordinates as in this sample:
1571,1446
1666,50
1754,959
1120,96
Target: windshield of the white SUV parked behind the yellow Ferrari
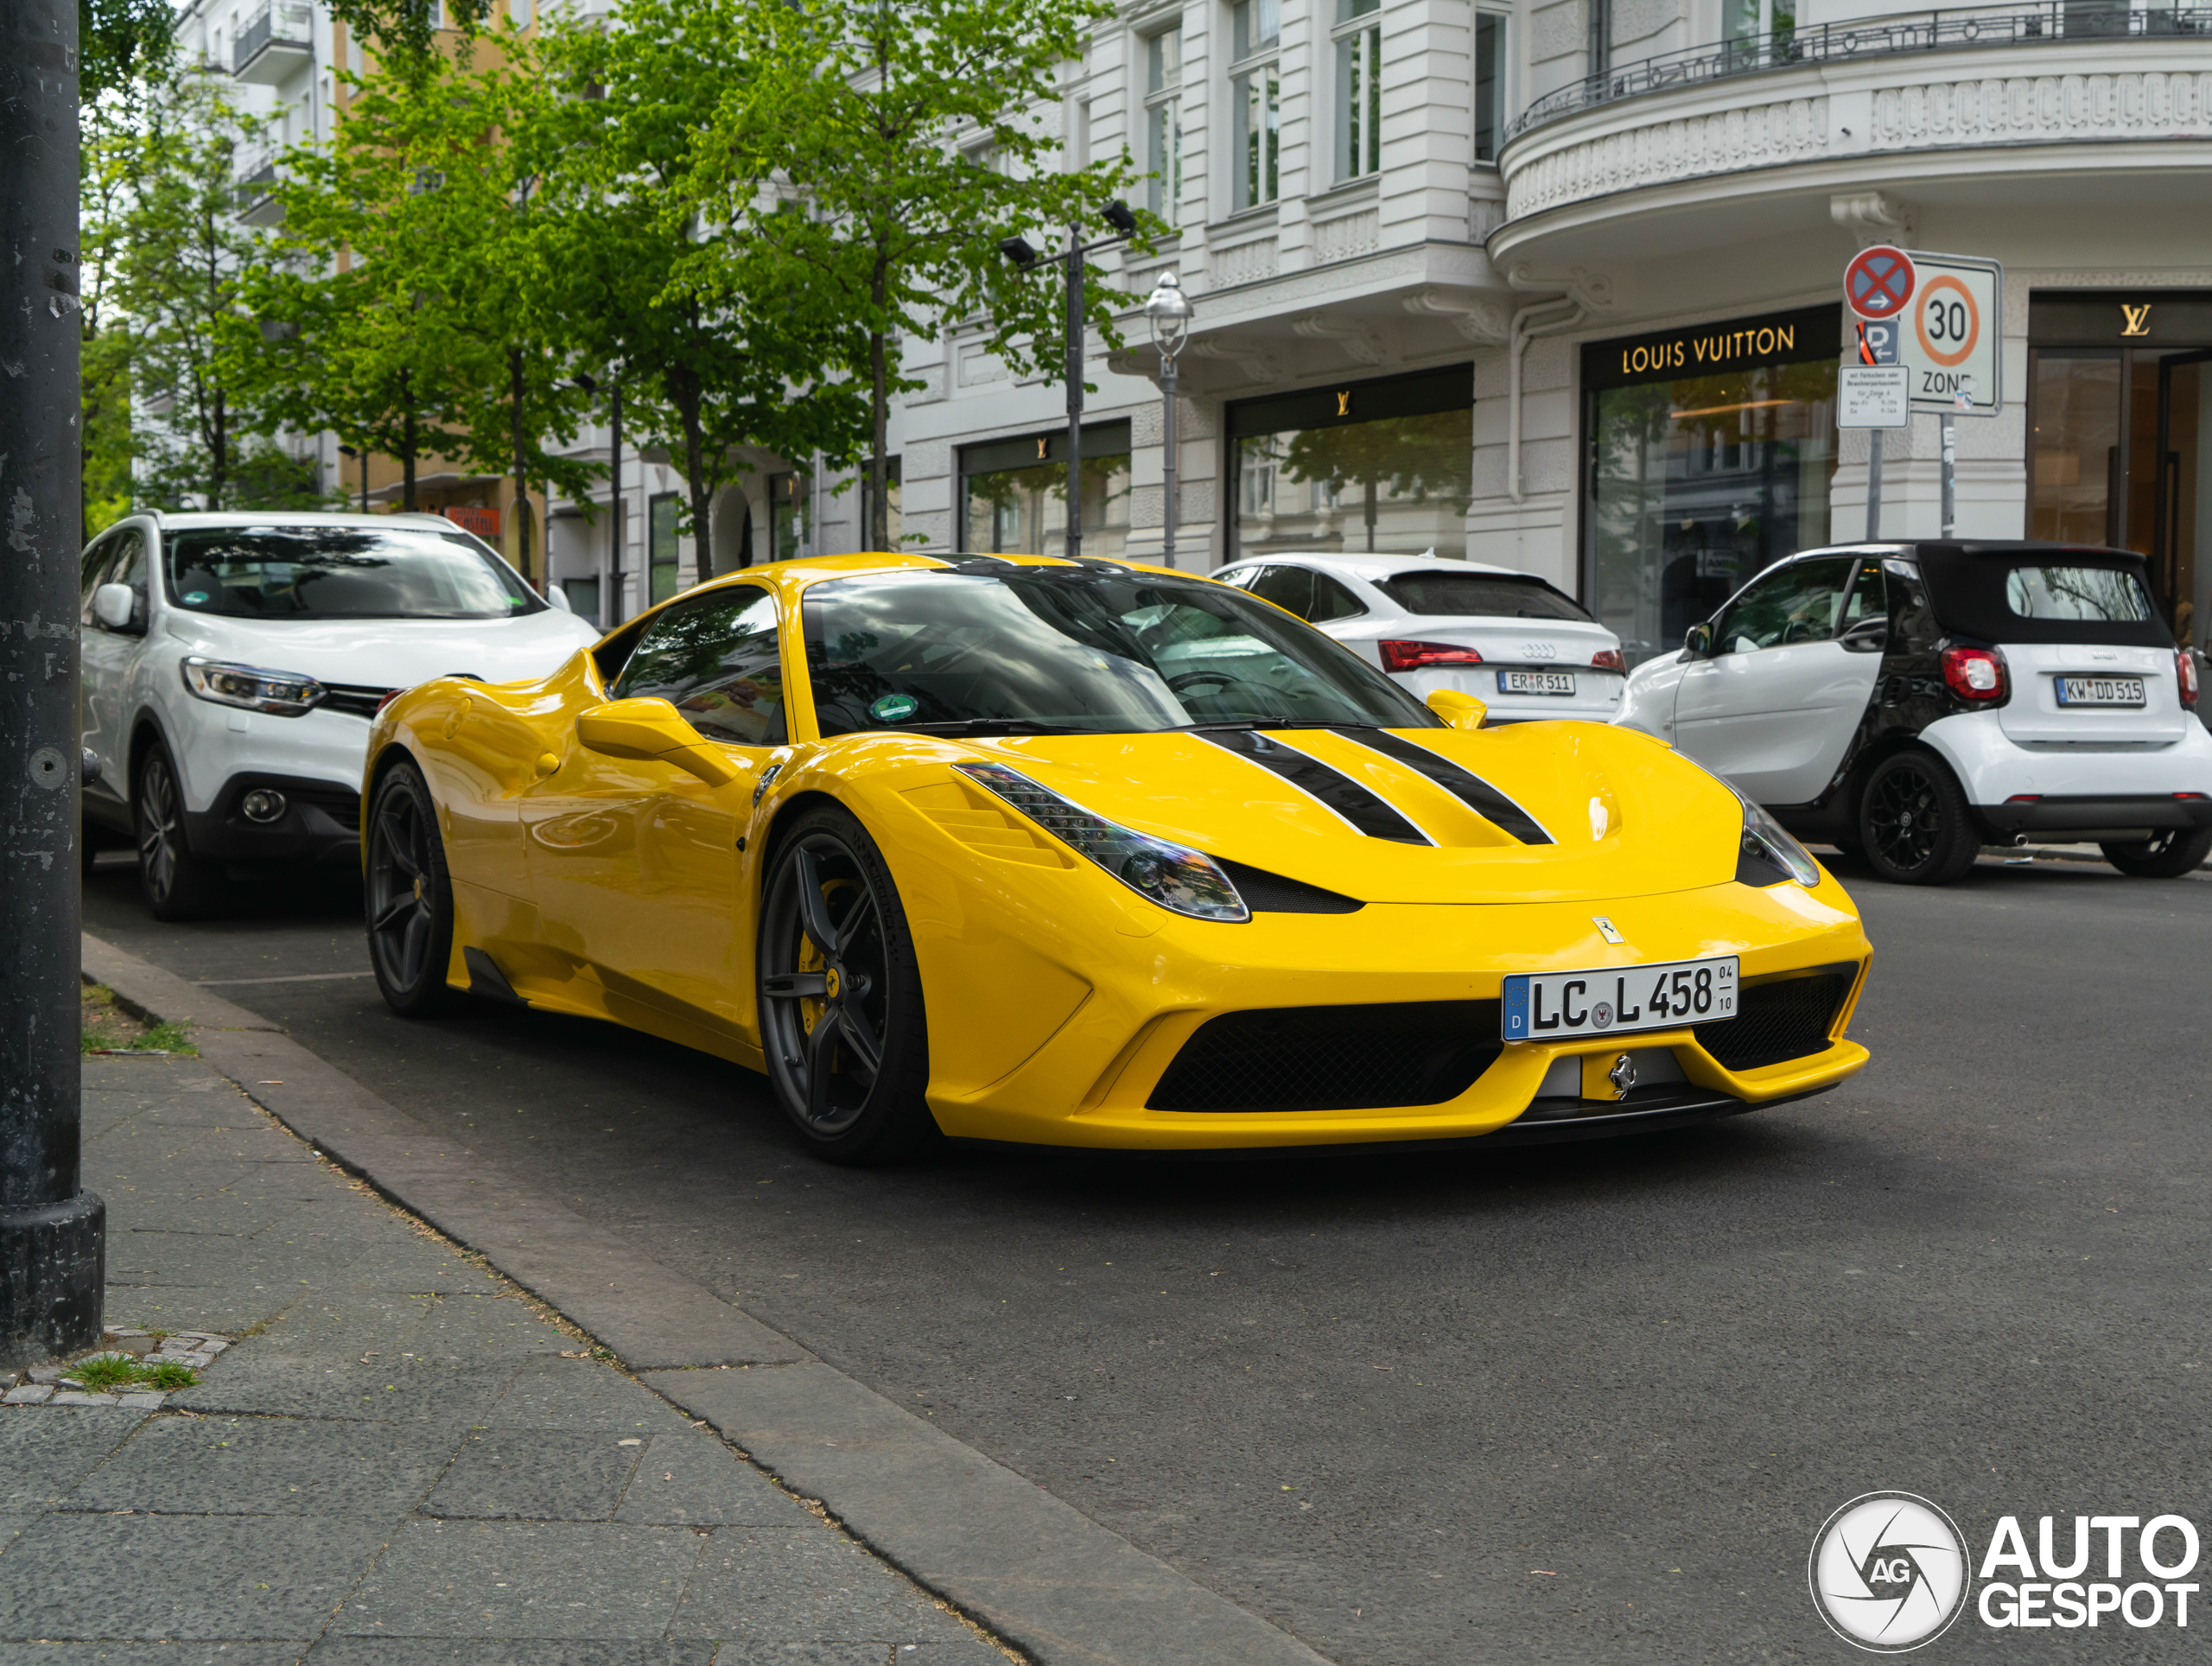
320,572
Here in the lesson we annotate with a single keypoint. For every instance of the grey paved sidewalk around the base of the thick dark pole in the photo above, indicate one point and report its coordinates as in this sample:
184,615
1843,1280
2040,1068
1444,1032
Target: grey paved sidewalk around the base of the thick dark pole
397,1461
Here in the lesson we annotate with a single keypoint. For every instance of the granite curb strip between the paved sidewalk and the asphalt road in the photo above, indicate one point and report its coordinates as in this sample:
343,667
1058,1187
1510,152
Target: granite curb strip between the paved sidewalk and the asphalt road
1019,1559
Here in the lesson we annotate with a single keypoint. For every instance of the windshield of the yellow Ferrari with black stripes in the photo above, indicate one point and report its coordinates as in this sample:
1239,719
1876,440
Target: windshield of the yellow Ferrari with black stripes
999,647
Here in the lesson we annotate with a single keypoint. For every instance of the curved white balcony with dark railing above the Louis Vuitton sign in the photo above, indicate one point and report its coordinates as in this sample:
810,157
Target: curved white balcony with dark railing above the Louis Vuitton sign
2072,105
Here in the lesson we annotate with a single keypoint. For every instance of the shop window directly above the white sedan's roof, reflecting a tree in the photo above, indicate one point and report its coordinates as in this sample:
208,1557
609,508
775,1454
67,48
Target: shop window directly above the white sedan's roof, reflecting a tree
1368,468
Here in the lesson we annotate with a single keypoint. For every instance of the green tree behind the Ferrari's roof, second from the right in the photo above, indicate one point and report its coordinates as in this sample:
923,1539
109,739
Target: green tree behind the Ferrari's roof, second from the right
705,373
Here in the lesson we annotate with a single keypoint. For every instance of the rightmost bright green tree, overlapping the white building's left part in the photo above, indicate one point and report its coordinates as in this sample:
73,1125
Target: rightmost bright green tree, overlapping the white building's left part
873,158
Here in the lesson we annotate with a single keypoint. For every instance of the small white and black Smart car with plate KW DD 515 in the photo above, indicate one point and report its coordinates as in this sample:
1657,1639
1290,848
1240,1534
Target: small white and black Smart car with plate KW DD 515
1914,702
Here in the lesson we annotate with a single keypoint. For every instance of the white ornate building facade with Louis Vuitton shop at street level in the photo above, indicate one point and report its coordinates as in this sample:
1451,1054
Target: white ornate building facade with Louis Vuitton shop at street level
1558,287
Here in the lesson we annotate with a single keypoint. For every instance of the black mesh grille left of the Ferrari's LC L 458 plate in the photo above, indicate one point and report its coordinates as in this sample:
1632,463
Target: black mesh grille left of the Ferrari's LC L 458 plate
1333,1059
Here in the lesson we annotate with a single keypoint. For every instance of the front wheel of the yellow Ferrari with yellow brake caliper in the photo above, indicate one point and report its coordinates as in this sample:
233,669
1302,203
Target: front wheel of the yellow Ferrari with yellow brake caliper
842,997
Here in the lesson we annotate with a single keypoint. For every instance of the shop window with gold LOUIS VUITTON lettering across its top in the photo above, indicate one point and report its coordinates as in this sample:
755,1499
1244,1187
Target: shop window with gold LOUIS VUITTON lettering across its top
1700,479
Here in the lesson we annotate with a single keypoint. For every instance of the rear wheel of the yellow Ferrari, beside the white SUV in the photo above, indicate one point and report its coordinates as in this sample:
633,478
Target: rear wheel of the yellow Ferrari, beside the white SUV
408,897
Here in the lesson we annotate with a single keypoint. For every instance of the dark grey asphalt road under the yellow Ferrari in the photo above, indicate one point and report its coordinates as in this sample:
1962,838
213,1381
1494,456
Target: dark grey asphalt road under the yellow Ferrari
1574,1404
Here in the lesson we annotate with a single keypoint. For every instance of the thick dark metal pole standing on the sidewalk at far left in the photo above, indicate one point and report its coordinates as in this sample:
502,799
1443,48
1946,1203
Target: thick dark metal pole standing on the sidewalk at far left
52,1233
